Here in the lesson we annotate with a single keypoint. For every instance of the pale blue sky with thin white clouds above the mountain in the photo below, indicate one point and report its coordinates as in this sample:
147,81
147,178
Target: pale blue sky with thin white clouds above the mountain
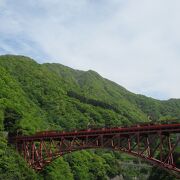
134,43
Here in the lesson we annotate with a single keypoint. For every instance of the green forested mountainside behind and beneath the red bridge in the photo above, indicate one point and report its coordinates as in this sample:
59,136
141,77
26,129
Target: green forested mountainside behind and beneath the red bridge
36,97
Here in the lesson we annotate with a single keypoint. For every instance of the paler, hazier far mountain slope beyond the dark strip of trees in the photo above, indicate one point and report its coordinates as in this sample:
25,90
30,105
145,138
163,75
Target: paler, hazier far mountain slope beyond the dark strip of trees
92,85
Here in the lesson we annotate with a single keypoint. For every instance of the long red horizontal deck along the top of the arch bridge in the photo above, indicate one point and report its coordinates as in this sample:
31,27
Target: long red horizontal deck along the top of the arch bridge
147,129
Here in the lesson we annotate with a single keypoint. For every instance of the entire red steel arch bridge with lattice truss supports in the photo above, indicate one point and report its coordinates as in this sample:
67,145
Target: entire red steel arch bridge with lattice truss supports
155,143
